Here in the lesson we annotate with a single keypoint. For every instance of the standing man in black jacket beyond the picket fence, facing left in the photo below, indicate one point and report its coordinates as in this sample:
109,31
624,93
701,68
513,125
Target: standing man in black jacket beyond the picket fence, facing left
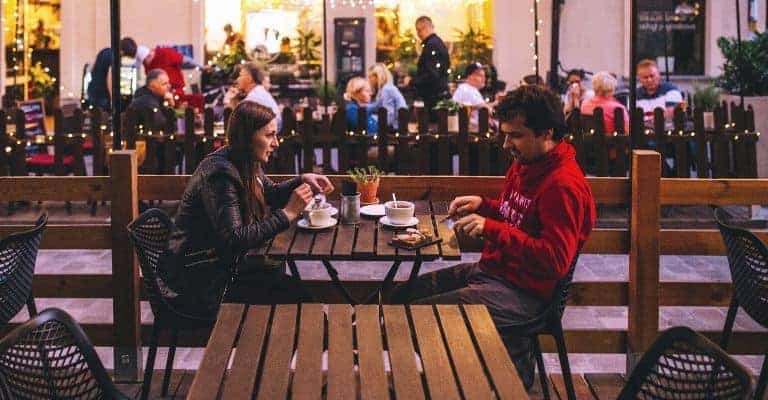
431,80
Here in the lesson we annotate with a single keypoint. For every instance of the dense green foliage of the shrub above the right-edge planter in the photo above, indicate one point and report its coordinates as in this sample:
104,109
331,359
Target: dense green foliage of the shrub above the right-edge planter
748,71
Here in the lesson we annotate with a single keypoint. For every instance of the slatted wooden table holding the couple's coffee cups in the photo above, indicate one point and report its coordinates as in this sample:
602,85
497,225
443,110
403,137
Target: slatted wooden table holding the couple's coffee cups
366,241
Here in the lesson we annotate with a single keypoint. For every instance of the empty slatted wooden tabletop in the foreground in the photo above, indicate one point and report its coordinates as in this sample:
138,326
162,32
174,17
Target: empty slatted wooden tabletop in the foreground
314,351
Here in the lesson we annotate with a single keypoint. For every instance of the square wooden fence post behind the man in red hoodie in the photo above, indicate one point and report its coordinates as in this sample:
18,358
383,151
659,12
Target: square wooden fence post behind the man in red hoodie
644,254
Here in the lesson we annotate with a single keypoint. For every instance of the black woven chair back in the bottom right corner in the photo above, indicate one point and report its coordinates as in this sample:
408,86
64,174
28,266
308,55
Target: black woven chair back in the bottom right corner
683,364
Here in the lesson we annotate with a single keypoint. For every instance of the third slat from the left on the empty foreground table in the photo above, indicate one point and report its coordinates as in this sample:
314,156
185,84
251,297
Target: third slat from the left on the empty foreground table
274,380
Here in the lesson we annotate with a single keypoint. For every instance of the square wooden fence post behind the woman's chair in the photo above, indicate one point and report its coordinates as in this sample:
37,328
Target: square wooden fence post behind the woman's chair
125,271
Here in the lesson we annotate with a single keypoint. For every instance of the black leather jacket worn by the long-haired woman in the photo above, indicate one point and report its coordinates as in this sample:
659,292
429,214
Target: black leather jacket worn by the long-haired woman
210,236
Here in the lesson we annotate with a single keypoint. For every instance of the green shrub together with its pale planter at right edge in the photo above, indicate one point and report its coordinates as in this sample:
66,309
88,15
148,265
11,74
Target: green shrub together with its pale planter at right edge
746,71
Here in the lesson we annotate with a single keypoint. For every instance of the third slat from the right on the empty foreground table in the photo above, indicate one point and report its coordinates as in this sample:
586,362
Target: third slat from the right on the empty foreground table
434,357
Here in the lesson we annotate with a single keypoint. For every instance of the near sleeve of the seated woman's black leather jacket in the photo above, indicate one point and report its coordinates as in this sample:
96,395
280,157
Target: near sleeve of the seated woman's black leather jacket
222,205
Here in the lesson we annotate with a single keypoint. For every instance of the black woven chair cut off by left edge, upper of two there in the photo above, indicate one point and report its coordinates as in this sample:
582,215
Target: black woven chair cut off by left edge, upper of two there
18,253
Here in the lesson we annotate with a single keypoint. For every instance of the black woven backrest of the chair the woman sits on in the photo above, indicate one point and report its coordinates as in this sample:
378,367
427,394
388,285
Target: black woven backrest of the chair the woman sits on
149,234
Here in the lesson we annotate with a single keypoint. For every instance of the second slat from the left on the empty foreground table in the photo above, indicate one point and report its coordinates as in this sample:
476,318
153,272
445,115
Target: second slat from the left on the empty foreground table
242,378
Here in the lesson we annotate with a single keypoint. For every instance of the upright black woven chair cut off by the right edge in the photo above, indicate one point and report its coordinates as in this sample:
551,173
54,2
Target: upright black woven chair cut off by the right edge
748,261
